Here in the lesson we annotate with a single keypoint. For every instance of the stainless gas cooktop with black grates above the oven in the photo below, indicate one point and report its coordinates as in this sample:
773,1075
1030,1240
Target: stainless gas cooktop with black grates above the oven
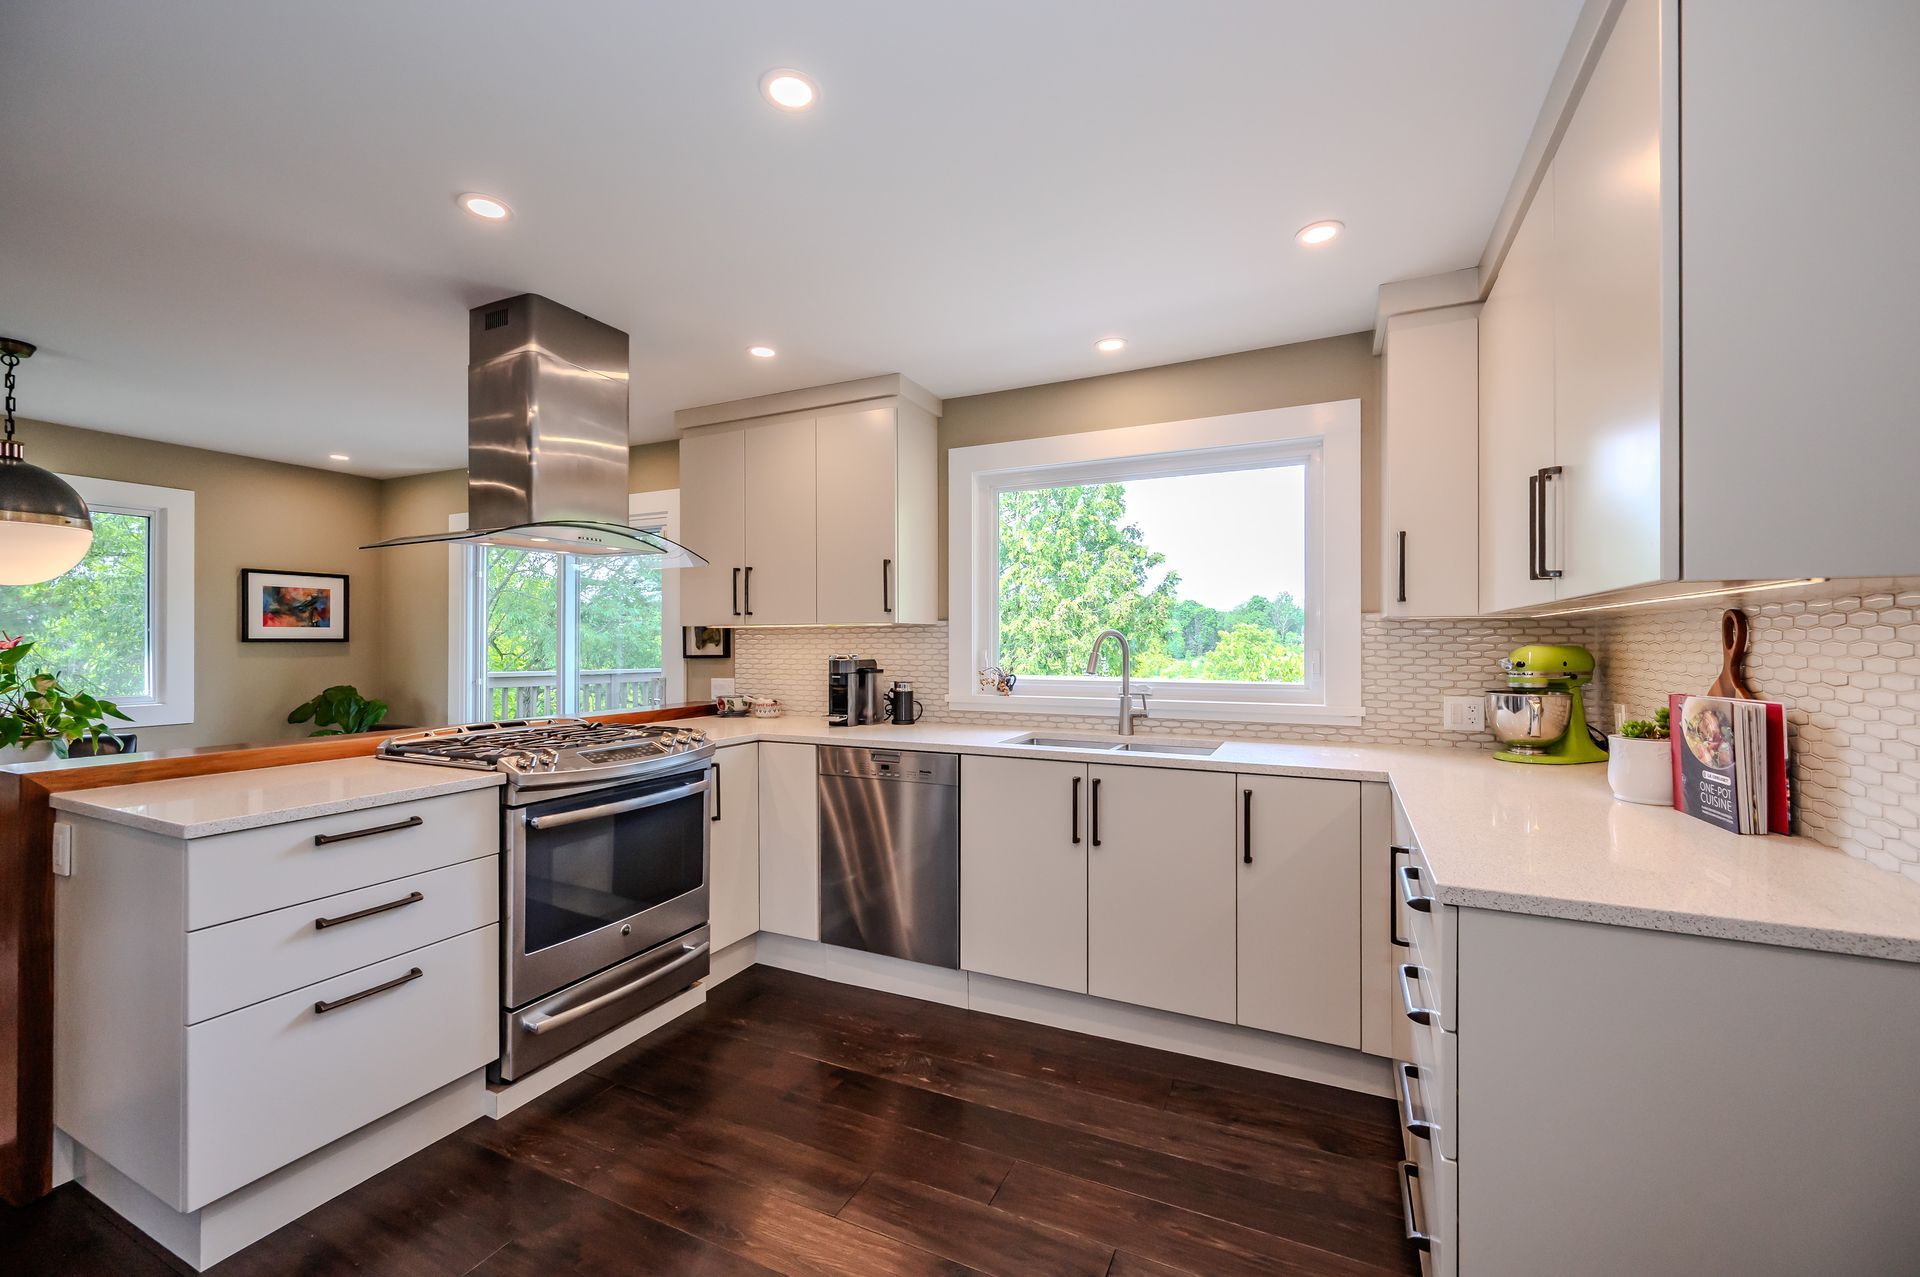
556,752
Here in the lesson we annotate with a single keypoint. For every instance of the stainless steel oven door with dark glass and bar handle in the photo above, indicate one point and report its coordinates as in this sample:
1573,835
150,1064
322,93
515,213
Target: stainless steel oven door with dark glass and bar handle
602,877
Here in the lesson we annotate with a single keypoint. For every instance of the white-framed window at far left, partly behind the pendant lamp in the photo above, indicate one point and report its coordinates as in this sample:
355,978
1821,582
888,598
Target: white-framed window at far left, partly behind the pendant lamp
120,625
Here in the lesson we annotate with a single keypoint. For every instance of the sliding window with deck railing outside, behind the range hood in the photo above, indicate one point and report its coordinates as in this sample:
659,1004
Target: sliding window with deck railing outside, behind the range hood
552,635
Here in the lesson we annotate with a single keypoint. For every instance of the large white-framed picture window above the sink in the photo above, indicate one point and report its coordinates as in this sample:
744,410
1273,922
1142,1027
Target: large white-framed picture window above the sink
1226,550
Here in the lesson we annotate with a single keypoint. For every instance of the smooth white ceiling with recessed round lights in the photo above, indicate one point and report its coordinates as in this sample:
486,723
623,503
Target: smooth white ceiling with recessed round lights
233,226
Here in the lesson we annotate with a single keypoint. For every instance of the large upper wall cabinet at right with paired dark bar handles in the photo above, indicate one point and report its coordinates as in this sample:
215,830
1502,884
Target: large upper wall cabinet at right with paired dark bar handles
1692,331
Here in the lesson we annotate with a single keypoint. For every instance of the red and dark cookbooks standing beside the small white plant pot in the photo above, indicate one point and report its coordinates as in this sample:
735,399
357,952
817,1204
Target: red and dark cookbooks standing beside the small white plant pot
1731,761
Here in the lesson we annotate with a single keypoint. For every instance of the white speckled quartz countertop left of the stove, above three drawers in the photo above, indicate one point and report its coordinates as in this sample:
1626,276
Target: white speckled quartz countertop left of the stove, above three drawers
231,802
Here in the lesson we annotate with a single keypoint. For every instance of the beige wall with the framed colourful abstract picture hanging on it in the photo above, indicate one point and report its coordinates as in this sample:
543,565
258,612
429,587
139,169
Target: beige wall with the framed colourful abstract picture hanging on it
249,516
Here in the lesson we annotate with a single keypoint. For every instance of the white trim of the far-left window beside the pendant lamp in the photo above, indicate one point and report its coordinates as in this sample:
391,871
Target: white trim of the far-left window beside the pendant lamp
170,594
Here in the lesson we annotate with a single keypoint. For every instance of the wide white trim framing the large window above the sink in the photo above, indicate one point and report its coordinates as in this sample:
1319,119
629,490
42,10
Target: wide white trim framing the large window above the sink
1328,435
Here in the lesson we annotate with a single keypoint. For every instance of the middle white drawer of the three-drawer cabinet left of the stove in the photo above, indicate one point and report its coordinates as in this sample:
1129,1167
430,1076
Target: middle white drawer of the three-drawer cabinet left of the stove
243,963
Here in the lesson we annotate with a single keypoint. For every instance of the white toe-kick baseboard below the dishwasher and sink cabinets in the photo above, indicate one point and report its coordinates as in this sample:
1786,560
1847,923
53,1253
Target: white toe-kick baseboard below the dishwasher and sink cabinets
1270,1053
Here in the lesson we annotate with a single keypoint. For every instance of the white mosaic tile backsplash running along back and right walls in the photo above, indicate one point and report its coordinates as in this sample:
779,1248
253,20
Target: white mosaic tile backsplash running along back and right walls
1844,658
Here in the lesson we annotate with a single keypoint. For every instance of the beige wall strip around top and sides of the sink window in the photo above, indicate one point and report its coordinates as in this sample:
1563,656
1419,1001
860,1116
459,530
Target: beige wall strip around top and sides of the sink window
1339,368
